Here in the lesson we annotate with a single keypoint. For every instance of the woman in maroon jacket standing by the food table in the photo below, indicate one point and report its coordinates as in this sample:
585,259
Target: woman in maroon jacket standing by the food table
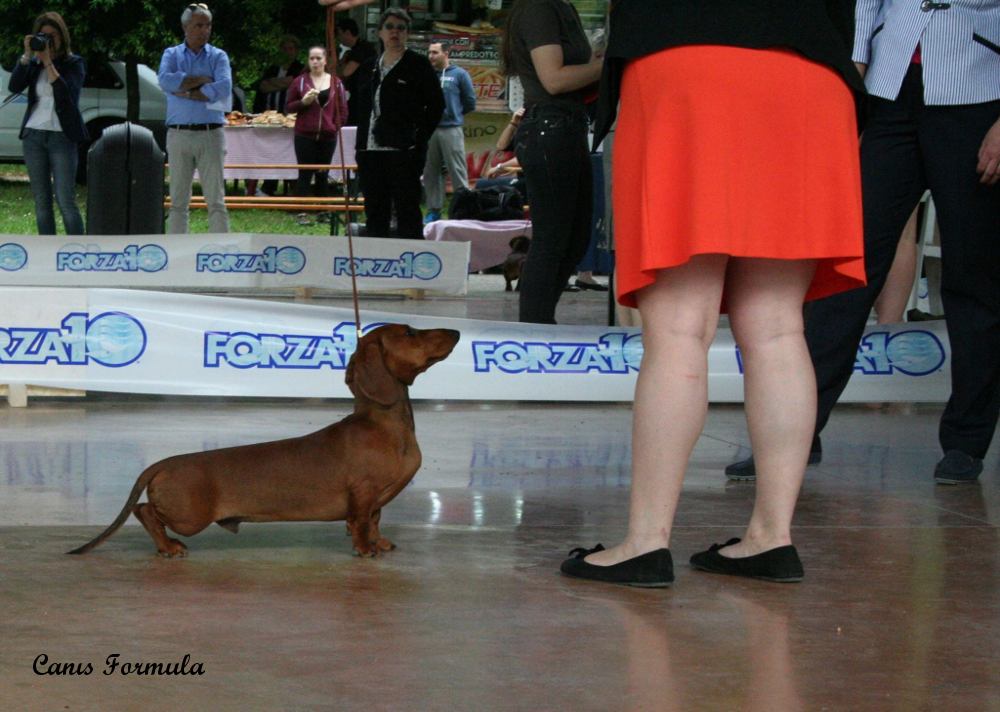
320,102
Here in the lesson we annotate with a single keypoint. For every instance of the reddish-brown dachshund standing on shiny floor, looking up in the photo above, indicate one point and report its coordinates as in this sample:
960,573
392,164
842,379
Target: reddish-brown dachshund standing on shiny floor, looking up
348,470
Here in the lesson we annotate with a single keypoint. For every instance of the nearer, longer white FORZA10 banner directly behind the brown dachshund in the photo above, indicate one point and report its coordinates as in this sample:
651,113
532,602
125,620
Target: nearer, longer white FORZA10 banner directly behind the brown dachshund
149,342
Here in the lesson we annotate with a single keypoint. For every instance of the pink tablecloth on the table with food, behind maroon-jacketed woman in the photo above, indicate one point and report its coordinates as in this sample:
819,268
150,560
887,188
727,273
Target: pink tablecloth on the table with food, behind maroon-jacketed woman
265,144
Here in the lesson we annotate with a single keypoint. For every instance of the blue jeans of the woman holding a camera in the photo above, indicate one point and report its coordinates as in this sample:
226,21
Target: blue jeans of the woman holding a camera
51,159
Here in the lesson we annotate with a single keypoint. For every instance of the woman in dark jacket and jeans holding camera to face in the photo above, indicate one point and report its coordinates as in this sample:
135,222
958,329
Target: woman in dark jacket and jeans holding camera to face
52,127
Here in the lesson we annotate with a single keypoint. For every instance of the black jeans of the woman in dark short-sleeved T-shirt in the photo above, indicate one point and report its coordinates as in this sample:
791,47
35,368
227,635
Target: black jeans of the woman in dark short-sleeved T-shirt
551,146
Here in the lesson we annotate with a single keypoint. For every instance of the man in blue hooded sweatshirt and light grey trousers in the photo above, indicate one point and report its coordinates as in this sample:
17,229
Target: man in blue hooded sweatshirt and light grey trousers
447,145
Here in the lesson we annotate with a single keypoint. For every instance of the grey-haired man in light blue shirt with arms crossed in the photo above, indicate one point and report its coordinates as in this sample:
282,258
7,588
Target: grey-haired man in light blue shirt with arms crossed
197,80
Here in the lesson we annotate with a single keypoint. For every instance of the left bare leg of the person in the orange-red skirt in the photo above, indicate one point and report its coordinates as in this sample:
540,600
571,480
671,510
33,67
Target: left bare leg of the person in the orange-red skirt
680,312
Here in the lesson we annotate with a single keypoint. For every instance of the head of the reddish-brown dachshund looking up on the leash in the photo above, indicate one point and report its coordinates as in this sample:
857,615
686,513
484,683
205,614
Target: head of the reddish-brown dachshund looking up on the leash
389,358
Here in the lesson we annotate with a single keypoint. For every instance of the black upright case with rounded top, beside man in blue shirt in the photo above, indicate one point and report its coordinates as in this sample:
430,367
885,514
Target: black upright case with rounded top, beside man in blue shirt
125,169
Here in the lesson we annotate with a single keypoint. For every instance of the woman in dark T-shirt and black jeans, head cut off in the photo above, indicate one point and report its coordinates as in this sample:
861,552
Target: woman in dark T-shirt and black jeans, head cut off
546,48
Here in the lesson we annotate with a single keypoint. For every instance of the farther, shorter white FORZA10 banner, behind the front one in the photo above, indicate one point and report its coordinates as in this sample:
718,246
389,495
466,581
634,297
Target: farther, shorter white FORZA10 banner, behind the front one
233,260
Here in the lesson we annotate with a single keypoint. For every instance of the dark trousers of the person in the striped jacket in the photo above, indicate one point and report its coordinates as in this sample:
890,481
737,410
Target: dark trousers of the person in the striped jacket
906,148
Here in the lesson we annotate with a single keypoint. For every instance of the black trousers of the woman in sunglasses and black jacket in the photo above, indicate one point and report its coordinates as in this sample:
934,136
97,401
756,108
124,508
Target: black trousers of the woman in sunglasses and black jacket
390,181
